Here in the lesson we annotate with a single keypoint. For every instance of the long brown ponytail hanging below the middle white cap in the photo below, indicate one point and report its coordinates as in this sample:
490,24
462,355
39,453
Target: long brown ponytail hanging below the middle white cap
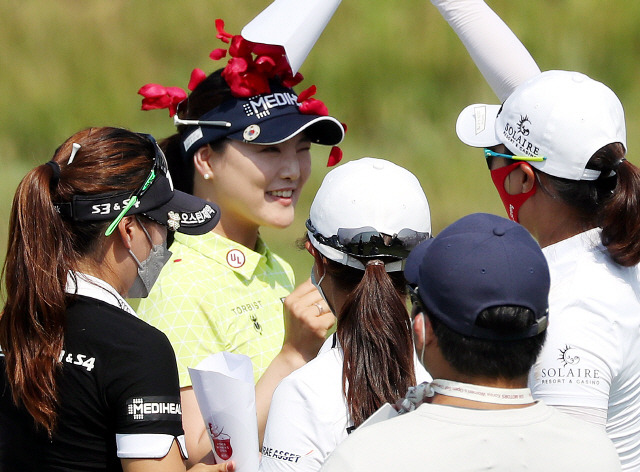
374,332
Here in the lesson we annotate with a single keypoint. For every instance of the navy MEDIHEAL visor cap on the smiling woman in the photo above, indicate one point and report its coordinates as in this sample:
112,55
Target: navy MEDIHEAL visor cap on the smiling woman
266,119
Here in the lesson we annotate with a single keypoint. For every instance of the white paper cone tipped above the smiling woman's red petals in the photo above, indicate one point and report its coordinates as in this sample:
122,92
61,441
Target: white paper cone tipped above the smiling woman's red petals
295,25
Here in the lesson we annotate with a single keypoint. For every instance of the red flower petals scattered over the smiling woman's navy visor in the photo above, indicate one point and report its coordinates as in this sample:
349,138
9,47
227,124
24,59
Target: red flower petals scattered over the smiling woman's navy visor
247,73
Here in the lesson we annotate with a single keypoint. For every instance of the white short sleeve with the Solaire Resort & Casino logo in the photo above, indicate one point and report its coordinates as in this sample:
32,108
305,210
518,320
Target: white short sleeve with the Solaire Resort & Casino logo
579,359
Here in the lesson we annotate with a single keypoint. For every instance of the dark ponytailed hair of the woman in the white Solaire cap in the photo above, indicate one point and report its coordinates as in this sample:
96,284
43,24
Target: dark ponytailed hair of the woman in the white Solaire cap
611,202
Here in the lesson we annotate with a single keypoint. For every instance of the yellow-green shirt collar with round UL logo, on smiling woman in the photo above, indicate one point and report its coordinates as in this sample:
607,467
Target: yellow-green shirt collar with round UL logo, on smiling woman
236,257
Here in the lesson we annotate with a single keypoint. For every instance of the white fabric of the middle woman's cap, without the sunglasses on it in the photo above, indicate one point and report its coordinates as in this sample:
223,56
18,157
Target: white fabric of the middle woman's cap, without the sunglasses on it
368,192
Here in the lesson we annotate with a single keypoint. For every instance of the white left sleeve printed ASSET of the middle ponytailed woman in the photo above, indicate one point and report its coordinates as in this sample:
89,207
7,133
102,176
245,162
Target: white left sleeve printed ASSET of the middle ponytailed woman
296,437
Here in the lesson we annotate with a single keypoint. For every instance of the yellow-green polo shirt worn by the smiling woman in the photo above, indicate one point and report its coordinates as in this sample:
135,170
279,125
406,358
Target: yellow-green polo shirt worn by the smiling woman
216,295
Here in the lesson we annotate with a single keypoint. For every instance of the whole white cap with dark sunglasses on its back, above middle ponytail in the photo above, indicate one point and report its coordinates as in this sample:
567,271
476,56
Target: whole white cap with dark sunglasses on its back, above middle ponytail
366,209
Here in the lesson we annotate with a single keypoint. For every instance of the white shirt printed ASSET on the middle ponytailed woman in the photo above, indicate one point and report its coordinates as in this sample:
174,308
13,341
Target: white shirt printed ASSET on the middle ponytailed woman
309,415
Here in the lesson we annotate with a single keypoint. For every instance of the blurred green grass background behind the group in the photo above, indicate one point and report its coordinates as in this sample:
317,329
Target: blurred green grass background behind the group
393,71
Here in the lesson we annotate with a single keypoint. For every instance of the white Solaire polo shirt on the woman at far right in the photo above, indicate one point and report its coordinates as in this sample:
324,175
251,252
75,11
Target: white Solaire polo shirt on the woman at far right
592,354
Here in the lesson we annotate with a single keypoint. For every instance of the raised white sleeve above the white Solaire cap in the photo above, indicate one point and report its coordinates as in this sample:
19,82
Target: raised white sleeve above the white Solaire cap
499,55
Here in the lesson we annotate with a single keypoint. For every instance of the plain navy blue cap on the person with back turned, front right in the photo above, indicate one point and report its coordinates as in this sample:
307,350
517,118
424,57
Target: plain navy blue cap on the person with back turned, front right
478,262
